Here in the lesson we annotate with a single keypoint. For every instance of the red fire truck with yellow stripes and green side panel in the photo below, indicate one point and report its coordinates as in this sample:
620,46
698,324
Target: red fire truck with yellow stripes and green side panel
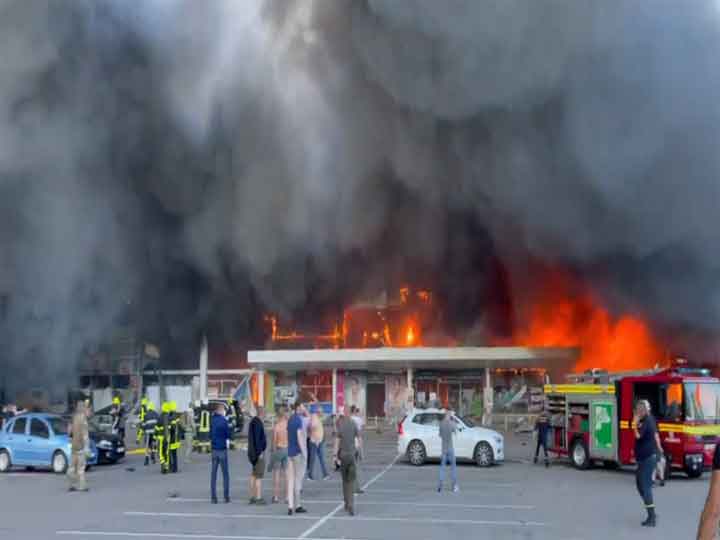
591,417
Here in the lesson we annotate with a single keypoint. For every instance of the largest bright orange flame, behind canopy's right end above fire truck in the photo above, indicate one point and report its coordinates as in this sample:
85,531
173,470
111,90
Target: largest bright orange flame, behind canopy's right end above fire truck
567,314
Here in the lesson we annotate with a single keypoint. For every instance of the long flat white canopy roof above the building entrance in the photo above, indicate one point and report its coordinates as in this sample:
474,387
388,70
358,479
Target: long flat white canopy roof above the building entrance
431,358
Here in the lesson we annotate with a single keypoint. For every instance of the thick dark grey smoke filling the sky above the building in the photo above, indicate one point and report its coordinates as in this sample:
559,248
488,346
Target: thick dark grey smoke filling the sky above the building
187,165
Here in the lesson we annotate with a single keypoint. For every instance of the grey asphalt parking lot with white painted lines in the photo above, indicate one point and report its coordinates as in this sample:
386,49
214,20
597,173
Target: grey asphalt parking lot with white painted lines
515,500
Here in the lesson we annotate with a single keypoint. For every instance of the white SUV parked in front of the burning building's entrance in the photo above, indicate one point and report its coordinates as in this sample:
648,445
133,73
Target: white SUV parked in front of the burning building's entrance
419,439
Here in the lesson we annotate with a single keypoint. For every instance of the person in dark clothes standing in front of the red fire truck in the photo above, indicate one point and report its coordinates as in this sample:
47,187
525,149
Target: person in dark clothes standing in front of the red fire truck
646,447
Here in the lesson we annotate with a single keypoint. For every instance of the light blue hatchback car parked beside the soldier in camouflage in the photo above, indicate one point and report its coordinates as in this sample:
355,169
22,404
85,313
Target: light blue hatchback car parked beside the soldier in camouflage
38,440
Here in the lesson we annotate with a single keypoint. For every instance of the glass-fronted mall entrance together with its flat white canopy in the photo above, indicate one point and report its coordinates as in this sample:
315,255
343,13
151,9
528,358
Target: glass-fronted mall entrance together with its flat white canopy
386,382
